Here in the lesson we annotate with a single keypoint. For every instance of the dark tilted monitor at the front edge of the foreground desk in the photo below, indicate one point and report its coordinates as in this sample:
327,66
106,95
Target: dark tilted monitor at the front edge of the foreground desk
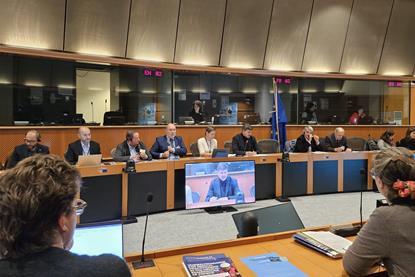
278,218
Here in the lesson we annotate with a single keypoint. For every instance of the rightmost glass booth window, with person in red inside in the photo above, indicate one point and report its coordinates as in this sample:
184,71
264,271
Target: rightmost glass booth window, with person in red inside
339,102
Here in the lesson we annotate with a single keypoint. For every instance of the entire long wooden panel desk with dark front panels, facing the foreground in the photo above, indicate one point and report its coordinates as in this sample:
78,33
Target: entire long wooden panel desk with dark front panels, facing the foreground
306,173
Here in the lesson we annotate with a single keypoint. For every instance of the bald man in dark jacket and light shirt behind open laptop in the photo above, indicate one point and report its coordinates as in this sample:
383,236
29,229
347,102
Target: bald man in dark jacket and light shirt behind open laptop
83,146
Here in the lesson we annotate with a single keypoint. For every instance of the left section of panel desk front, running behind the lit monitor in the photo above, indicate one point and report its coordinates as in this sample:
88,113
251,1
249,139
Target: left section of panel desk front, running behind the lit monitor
112,194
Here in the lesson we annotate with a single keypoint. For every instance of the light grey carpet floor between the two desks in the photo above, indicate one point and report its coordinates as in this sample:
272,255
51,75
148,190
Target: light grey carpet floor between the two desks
181,228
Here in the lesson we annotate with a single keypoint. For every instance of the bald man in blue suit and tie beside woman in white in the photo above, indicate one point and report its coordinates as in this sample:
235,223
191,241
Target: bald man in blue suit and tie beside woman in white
168,146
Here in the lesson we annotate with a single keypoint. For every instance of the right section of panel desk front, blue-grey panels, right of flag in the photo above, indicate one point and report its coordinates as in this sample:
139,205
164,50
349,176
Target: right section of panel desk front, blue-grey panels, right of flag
326,172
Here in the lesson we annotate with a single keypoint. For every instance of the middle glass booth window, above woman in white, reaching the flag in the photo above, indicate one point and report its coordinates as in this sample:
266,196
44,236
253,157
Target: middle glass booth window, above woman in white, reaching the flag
226,99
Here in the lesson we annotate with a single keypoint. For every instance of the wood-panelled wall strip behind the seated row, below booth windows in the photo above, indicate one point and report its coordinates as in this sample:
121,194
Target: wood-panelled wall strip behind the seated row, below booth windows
58,138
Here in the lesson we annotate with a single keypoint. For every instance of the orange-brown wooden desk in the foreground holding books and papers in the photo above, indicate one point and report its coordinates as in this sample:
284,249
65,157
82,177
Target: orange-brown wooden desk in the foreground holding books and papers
169,262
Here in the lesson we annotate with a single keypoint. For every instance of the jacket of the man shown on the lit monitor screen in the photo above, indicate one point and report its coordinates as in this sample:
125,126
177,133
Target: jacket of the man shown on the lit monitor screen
230,190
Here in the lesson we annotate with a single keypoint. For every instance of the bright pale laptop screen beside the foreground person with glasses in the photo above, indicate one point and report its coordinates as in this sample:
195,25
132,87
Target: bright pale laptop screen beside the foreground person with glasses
97,240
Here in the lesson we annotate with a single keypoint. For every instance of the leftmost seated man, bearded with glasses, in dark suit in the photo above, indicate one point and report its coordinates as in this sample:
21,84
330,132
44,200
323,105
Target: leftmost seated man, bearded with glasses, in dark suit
29,148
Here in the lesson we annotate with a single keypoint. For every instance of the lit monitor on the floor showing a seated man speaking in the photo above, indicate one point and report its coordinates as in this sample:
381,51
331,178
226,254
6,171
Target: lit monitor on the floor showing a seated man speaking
204,184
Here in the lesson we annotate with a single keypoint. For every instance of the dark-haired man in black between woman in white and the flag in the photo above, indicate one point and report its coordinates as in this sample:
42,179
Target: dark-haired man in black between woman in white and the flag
244,143
